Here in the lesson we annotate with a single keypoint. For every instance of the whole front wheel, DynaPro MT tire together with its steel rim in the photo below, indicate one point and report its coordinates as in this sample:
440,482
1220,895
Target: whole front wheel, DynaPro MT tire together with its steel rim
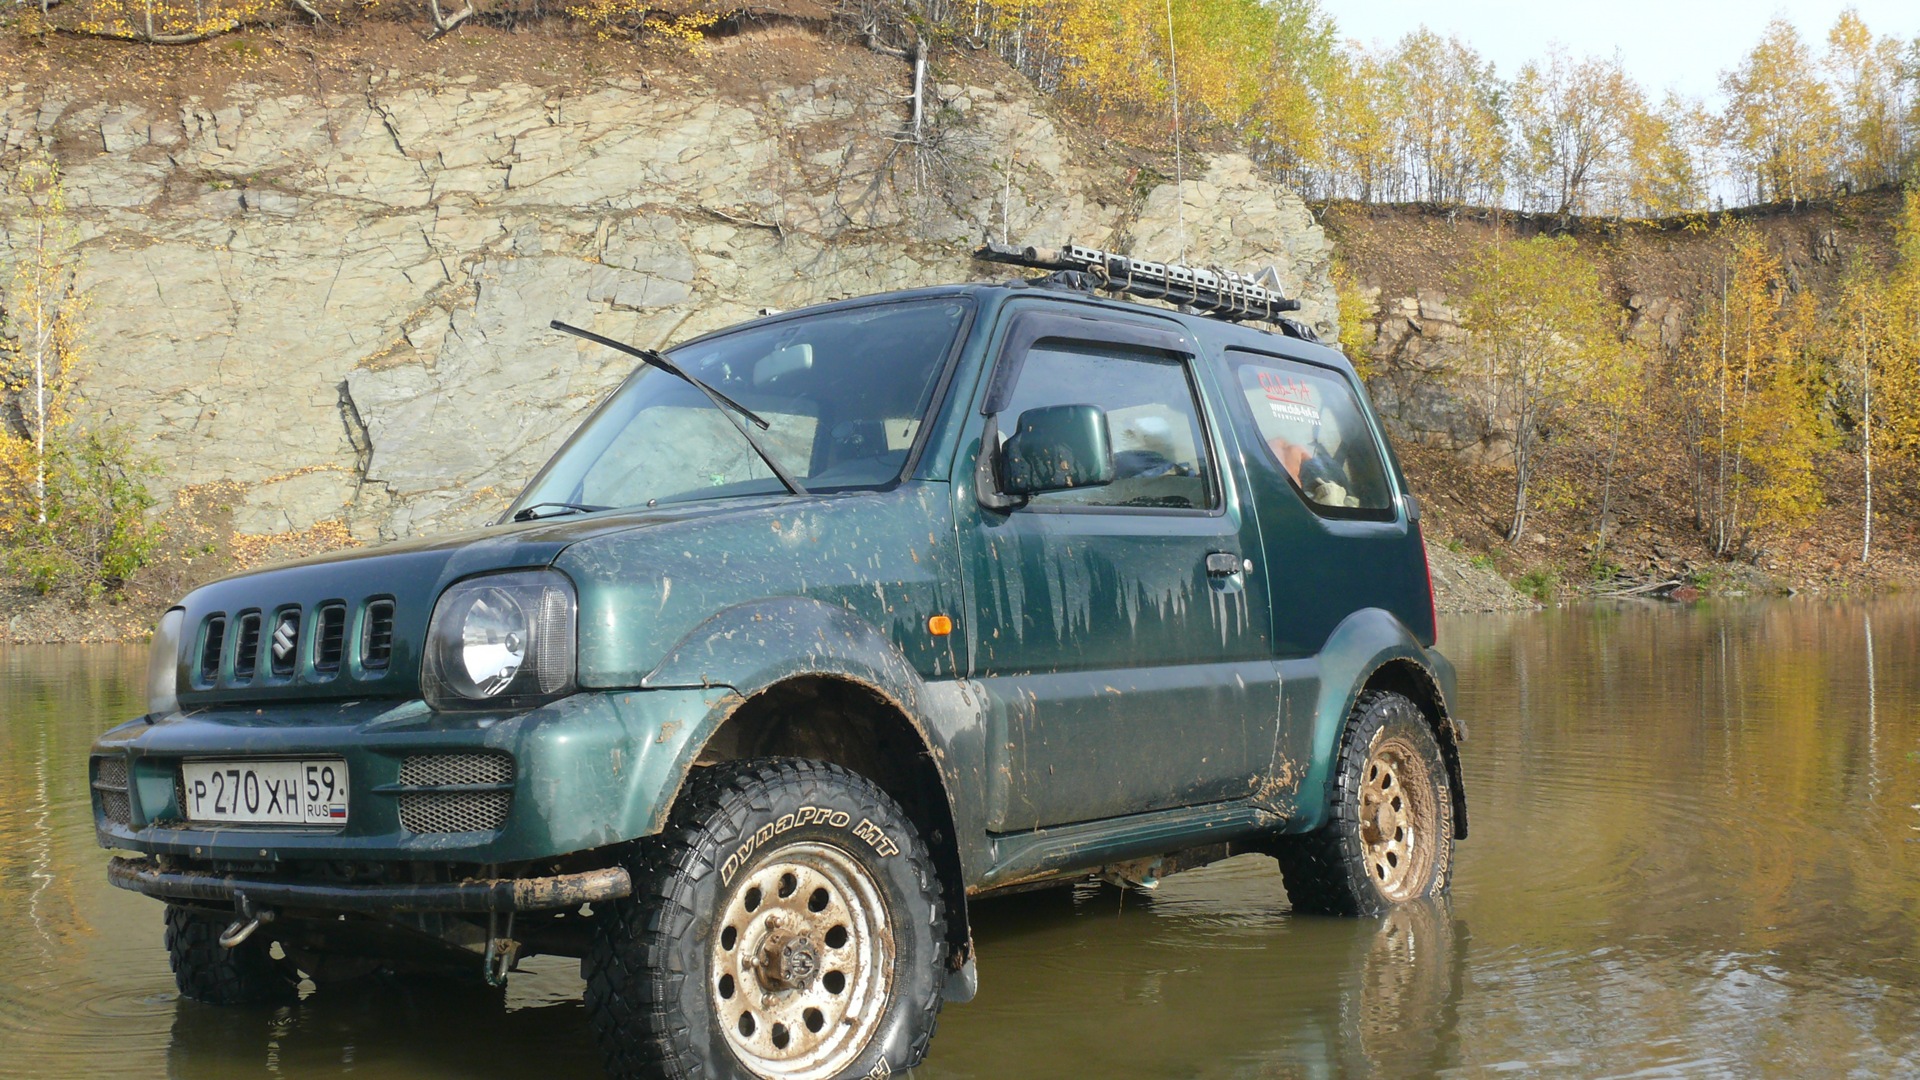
786,925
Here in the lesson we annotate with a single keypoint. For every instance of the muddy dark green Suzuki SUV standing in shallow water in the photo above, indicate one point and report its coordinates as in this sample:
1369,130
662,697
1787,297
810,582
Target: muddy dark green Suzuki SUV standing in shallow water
815,631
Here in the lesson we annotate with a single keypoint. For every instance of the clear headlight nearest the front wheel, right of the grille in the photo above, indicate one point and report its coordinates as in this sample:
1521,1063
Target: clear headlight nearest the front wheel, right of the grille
502,643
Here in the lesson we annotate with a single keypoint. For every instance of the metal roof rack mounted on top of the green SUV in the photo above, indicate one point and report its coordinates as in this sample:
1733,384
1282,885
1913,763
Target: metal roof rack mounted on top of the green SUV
1220,293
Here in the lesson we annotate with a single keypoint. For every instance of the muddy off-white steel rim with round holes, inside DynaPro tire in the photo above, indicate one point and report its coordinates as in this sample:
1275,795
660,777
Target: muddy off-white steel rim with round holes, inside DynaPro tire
802,964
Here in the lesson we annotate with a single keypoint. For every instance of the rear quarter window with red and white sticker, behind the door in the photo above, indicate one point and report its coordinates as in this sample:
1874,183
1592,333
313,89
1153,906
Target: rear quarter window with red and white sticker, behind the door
1314,430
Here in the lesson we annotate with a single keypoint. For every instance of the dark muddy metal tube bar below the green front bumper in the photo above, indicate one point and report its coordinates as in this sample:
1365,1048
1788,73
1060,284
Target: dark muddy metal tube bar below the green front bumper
469,896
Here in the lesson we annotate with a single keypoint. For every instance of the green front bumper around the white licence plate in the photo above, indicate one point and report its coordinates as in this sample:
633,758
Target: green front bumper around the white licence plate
588,772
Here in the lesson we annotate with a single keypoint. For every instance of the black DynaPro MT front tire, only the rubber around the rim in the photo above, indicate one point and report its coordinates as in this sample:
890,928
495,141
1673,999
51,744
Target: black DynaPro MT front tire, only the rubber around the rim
650,968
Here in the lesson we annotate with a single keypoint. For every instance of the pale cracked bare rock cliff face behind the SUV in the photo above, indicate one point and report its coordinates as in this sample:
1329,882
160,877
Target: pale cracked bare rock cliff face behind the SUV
341,301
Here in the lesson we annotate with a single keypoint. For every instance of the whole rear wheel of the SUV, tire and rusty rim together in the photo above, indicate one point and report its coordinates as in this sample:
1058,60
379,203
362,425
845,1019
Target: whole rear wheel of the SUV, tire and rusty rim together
1389,835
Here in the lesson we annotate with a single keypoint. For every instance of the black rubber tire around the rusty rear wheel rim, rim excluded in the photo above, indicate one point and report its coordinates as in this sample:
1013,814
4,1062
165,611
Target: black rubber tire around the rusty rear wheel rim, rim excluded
1328,870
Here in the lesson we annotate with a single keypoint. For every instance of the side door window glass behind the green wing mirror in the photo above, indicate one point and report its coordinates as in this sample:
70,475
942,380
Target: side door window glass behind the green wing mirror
1151,414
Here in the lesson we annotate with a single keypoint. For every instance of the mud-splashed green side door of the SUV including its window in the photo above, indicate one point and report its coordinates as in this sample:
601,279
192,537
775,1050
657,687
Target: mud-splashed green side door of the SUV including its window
1116,631
